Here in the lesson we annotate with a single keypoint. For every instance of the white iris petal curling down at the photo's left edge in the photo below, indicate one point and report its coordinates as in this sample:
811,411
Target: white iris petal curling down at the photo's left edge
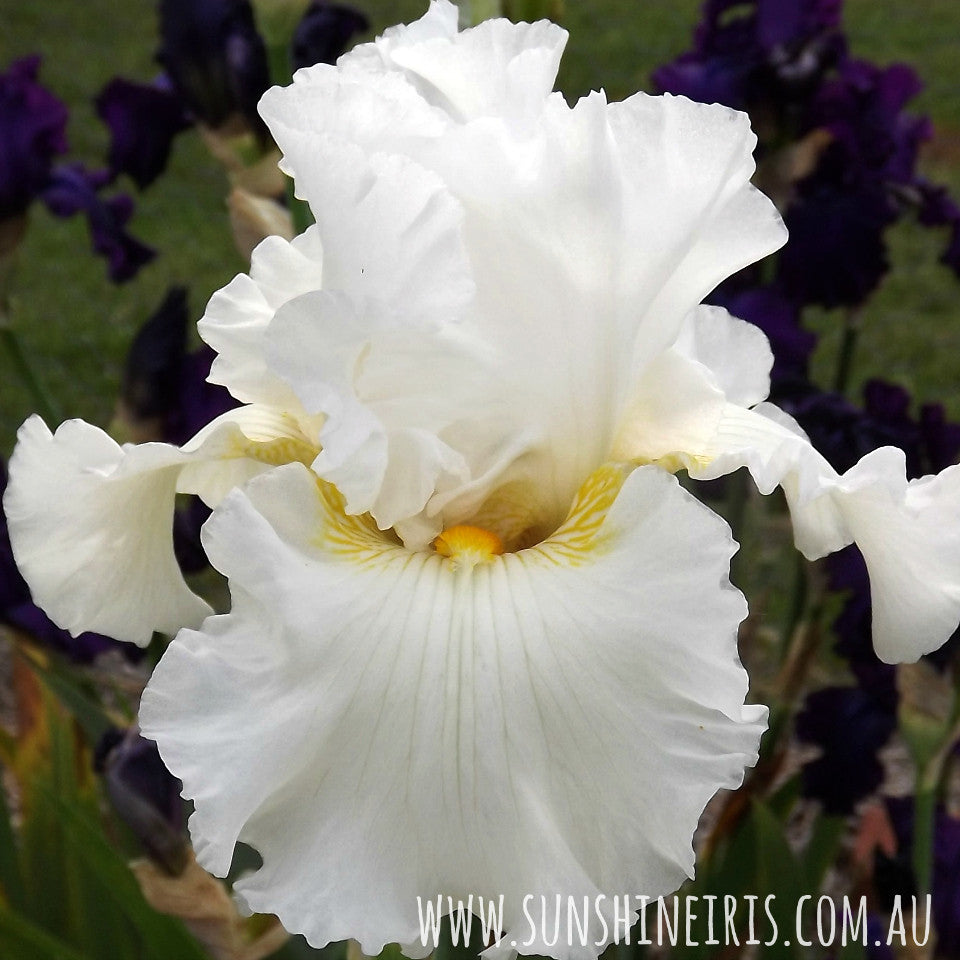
91,522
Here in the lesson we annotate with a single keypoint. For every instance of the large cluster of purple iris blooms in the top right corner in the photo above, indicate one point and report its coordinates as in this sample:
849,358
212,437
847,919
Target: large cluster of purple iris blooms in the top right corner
786,63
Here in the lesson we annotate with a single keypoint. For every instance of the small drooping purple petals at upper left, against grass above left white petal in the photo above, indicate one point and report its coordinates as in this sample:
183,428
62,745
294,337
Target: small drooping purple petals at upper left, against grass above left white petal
73,189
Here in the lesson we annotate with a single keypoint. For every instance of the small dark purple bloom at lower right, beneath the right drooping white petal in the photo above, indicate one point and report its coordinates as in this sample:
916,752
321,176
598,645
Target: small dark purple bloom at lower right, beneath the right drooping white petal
850,725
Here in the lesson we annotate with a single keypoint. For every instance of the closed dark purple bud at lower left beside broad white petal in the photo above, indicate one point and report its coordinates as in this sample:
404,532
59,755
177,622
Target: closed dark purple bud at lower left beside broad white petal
145,794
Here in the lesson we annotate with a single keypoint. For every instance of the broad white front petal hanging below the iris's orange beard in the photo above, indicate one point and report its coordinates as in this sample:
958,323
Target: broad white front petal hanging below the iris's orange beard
382,725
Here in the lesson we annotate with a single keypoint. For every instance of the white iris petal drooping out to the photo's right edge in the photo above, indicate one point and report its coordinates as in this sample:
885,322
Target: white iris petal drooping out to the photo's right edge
690,409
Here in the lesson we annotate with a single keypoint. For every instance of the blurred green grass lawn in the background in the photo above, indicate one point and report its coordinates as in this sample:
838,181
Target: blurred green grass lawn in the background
76,325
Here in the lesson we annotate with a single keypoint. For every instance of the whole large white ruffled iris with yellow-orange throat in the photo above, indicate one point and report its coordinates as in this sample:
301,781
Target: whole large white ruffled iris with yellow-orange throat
481,640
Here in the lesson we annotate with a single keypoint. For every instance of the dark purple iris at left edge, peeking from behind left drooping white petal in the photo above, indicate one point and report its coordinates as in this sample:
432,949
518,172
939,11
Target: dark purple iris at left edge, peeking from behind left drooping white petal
18,610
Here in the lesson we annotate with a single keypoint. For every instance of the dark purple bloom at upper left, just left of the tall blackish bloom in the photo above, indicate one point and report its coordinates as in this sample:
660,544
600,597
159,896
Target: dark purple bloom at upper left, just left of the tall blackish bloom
143,120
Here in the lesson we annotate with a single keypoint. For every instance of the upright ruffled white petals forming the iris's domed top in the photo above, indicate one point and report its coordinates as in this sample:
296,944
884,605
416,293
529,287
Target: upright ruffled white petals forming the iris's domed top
567,243
